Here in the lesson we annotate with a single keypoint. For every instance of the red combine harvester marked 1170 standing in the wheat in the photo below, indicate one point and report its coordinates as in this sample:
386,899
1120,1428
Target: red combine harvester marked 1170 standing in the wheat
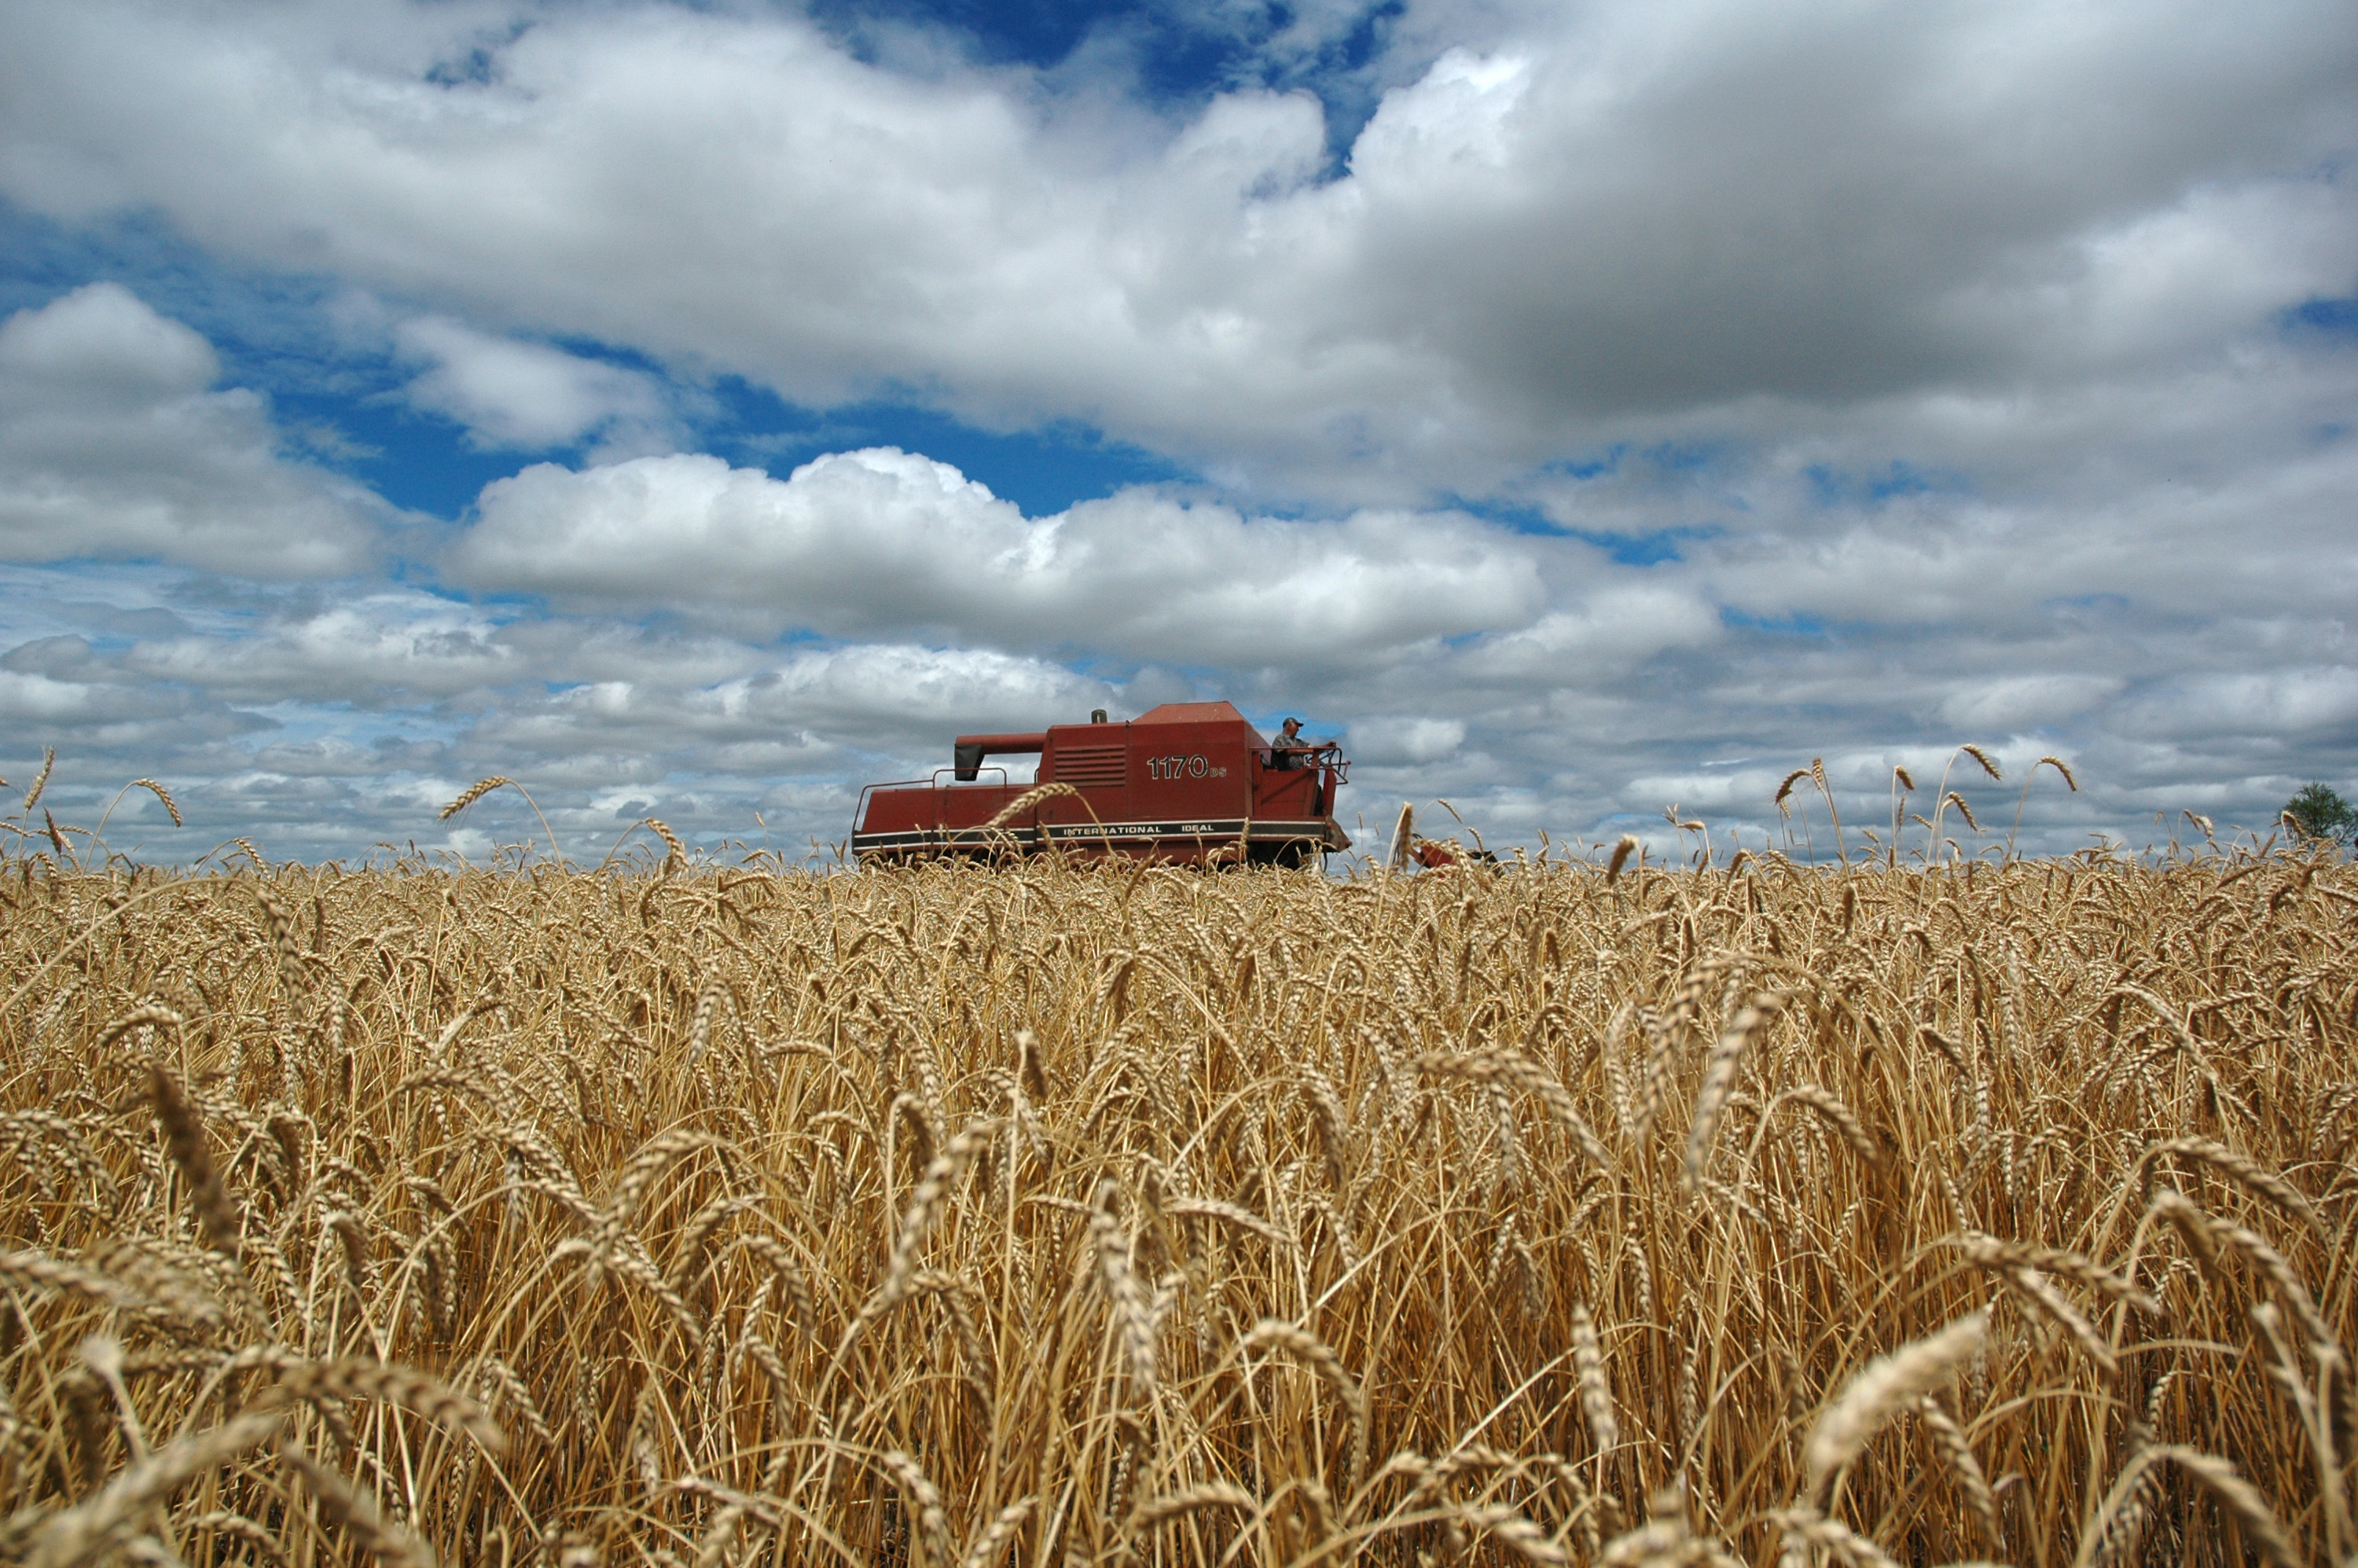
1185,782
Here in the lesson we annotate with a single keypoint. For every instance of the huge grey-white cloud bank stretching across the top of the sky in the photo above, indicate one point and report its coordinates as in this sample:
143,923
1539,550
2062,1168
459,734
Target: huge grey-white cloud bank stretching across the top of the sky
1640,211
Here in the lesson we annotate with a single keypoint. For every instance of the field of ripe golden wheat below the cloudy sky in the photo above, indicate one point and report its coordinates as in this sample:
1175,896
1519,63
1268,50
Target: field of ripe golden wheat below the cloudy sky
963,1218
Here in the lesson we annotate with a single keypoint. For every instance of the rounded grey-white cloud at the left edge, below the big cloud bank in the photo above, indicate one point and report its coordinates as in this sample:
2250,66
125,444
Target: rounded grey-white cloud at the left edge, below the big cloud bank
117,447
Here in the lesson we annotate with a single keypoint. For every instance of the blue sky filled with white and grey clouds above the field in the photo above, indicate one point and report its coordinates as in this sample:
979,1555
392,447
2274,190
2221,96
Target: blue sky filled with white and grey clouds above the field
1583,411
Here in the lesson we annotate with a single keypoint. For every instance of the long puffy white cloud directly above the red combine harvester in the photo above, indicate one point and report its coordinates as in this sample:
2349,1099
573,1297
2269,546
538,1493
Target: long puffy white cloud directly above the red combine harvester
893,541
